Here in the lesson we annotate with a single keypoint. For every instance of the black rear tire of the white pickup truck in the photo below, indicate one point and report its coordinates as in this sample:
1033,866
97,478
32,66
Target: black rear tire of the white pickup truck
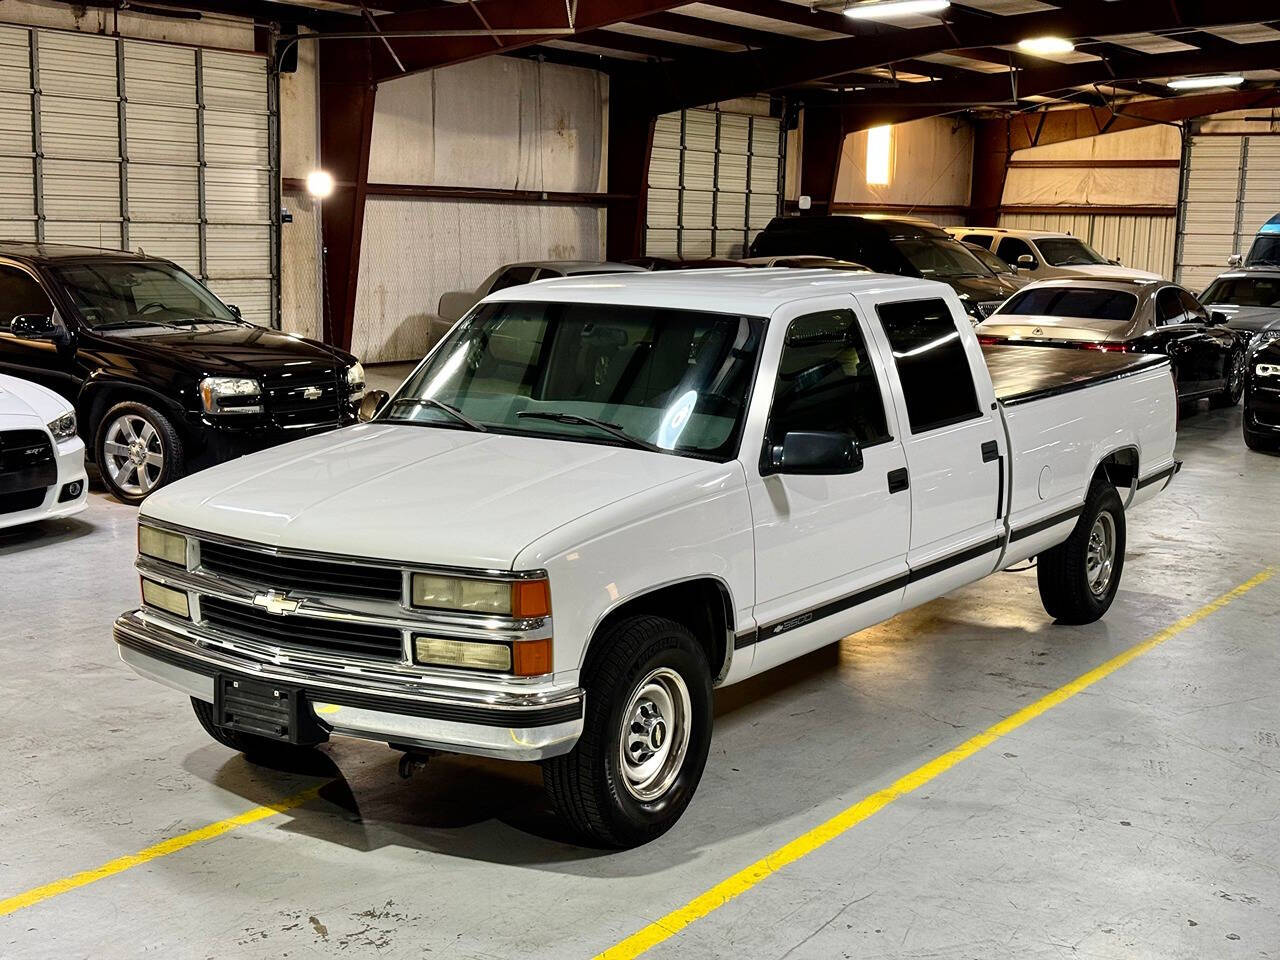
1067,586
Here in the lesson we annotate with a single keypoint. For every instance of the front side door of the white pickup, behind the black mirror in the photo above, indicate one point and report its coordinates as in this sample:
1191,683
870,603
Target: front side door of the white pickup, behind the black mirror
831,551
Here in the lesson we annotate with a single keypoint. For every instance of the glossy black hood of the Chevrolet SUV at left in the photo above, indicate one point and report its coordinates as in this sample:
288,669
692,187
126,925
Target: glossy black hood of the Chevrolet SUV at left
230,350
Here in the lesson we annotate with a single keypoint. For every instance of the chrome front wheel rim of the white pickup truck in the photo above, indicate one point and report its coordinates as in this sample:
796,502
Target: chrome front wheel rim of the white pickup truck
655,735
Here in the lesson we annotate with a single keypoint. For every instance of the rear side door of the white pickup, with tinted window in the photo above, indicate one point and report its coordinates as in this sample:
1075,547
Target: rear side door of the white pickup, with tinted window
954,441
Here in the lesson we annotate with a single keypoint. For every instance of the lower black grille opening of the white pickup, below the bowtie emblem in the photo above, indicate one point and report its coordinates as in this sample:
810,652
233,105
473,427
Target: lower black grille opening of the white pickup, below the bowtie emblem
303,632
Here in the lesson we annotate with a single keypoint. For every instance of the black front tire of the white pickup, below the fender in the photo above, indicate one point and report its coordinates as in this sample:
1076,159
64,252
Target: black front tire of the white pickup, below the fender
589,787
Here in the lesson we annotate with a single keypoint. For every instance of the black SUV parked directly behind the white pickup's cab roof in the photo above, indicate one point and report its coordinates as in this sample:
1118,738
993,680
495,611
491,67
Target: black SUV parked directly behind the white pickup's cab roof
892,245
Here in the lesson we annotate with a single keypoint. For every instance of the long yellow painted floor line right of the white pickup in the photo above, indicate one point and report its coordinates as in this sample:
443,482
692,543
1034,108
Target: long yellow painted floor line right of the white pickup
806,844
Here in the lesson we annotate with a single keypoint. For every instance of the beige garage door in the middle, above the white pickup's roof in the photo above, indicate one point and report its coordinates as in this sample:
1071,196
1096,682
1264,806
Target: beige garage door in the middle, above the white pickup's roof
714,182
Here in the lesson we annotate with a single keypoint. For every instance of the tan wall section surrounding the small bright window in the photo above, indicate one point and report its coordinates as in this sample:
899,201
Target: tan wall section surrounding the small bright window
931,166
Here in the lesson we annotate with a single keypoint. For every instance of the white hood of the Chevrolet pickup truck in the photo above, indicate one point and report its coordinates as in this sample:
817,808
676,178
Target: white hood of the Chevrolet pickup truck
417,495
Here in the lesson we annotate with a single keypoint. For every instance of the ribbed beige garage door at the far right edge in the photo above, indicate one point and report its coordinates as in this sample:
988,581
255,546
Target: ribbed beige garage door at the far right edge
1231,188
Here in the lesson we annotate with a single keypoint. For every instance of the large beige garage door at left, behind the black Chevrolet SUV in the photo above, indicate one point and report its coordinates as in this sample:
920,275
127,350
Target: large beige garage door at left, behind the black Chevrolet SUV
145,147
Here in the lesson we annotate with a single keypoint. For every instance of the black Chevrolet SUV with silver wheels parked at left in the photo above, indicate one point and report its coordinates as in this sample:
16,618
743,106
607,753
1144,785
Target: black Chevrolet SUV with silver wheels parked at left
166,378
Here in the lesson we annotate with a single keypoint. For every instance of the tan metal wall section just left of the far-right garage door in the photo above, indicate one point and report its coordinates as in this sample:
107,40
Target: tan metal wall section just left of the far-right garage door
1048,186
